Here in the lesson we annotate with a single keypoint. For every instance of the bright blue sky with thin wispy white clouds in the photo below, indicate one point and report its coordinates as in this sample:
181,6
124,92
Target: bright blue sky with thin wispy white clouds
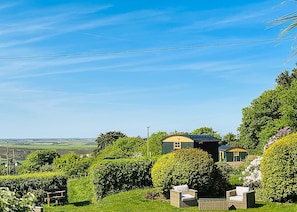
77,69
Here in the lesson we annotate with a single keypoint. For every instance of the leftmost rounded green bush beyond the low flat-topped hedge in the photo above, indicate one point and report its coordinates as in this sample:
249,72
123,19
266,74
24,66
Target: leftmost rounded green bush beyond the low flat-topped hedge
36,160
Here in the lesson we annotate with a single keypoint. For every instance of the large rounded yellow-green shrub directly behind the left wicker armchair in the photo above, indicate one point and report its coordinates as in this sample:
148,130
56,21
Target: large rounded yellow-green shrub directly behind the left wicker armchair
188,166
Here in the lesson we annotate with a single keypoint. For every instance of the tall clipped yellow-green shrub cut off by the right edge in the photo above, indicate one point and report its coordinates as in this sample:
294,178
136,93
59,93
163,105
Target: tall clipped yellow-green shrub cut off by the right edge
279,170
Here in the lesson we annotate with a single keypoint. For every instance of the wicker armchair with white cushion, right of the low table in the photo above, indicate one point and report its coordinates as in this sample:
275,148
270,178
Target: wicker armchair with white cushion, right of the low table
241,197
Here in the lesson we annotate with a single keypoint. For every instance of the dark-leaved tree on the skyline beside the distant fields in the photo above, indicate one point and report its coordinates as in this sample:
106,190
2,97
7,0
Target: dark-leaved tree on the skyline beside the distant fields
108,138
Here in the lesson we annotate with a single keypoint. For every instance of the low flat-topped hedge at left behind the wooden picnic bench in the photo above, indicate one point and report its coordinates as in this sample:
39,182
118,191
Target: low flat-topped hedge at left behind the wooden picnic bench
37,183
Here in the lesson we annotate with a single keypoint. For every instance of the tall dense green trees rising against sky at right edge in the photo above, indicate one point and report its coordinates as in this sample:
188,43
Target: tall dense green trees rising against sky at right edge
271,111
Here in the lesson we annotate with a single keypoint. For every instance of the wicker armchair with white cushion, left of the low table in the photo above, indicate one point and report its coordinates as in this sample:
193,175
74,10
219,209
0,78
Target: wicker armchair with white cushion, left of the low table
182,196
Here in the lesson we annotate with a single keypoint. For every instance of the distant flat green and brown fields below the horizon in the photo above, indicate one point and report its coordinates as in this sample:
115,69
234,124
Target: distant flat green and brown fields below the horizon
20,148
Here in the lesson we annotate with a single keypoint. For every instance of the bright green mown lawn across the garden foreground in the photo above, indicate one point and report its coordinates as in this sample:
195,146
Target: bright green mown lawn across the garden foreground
81,198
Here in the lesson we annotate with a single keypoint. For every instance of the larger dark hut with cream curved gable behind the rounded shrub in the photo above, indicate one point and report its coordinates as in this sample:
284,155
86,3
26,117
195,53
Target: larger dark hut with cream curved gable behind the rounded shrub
207,143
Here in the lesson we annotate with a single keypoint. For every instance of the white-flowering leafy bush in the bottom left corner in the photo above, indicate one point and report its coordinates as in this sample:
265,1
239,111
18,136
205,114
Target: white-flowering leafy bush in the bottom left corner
10,202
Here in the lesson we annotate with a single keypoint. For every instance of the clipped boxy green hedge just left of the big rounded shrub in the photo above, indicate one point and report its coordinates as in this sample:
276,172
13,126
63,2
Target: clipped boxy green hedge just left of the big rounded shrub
112,176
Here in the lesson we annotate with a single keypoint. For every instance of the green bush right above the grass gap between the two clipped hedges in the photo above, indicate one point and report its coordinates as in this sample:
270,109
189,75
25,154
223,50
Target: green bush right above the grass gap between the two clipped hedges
72,164
